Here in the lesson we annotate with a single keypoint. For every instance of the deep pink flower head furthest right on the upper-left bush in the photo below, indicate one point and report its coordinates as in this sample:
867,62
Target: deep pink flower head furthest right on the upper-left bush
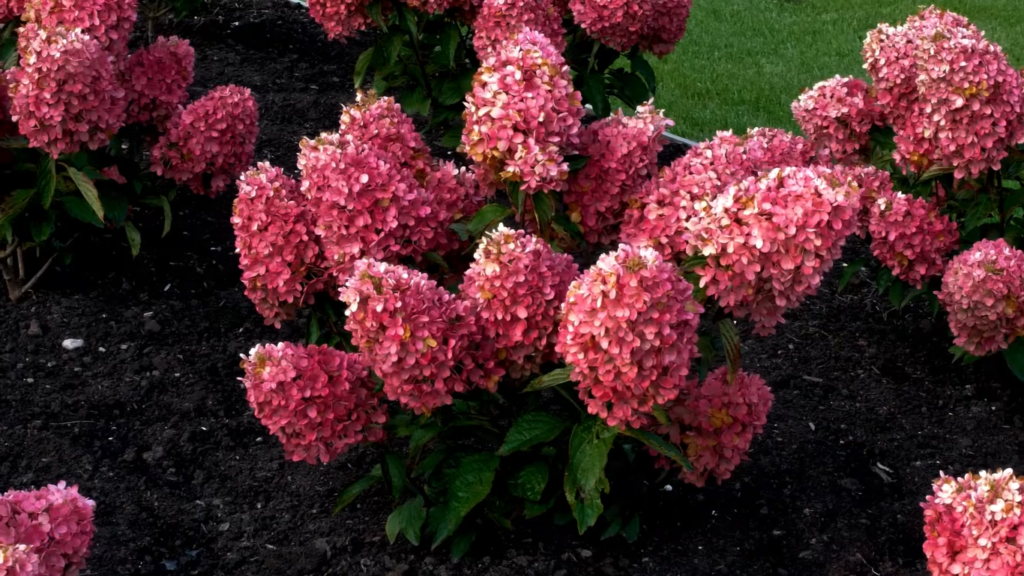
211,142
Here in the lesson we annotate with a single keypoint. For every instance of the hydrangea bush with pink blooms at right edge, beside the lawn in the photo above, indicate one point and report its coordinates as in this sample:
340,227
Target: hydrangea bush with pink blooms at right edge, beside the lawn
943,118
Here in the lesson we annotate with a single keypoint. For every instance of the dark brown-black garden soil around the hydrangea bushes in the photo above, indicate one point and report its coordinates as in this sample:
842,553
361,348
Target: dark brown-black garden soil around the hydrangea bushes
150,420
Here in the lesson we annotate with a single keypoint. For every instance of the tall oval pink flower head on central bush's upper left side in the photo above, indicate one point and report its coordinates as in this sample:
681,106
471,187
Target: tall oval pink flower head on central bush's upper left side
275,239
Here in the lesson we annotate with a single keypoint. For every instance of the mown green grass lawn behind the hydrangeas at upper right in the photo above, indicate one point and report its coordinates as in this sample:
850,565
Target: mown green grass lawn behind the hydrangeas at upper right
744,62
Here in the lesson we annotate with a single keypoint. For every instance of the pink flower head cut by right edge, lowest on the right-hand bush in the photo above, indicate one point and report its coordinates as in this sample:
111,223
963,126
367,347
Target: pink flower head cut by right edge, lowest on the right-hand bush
983,292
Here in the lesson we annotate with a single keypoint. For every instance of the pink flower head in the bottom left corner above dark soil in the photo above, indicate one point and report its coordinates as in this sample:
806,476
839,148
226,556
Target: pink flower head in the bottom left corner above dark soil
55,522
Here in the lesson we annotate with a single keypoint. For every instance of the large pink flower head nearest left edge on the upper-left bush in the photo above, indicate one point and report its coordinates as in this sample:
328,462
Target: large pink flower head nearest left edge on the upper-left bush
65,93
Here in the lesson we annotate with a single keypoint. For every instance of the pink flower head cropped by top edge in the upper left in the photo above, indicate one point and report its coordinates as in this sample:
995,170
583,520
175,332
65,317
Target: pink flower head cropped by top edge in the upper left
109,22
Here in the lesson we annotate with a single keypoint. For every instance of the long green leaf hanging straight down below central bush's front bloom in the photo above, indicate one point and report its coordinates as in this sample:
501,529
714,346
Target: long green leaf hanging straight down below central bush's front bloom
585,478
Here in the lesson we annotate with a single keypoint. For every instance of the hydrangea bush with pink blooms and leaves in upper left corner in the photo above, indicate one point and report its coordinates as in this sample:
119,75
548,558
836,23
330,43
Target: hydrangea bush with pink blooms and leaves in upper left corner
80,117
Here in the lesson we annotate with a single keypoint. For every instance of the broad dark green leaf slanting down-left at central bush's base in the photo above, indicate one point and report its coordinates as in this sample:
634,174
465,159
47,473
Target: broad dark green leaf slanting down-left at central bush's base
468,486
